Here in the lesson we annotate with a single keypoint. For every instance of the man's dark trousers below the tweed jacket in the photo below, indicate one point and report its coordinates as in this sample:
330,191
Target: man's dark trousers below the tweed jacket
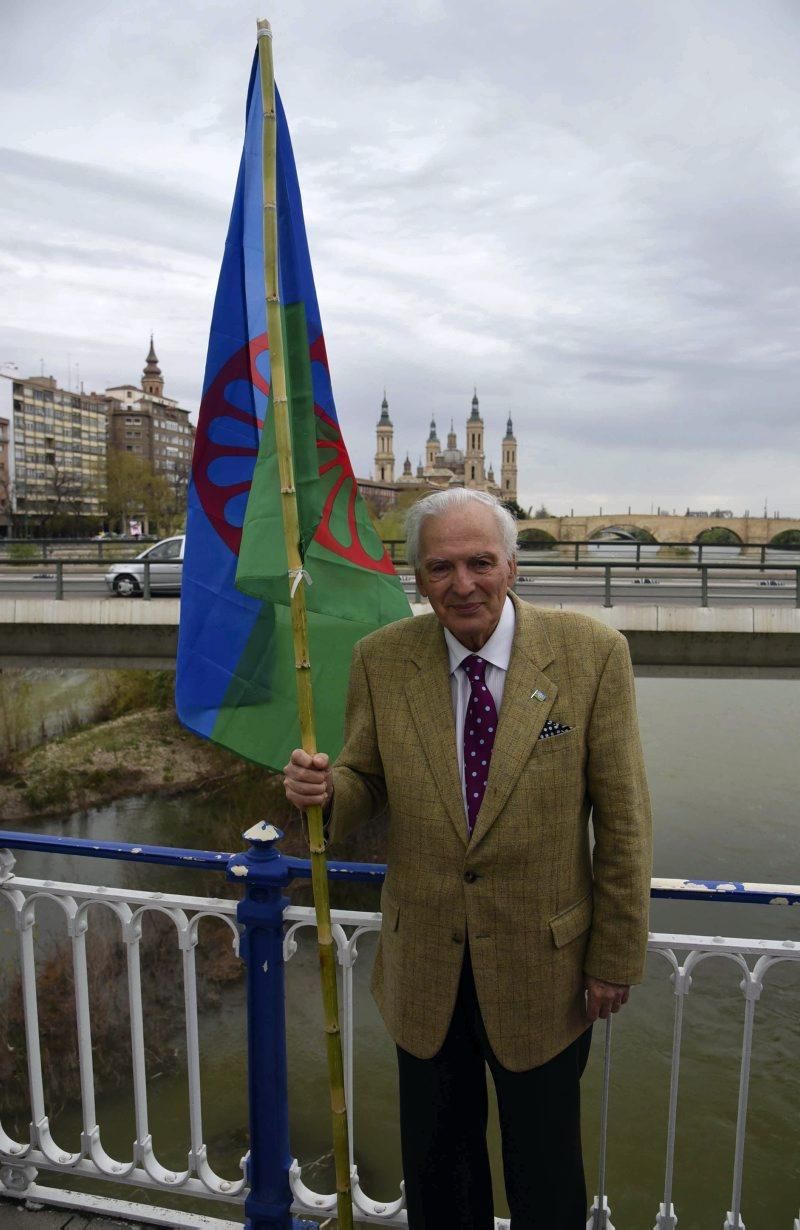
444,1111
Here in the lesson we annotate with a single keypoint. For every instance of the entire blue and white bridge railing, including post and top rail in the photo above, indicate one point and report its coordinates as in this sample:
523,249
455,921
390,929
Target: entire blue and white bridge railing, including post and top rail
264,930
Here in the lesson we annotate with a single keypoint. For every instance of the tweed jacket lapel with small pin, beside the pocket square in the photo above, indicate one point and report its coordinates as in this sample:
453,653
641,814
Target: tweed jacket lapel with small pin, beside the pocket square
529,698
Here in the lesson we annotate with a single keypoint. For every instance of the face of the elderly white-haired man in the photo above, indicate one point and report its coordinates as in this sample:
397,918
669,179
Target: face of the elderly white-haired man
465,571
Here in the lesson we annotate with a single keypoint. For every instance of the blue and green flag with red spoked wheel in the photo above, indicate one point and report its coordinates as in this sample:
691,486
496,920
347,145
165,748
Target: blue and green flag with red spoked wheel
236,664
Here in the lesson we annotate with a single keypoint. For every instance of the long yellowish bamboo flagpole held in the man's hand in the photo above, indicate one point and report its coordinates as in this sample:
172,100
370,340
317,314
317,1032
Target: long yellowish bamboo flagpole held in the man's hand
300,628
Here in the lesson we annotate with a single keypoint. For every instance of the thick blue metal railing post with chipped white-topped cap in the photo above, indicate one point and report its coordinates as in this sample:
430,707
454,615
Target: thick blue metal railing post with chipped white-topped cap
265,874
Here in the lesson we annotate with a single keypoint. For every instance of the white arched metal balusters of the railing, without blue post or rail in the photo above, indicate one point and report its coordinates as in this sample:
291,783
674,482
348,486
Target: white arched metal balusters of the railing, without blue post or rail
681,955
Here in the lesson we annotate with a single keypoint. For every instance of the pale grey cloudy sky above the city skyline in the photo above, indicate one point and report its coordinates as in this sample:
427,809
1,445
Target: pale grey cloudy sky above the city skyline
590,210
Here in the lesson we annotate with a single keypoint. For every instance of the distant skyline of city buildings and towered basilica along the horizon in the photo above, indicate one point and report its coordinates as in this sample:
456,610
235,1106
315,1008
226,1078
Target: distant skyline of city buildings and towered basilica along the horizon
56,446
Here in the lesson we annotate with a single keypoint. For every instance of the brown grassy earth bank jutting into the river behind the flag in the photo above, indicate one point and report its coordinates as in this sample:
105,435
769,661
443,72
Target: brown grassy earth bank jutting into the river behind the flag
147,752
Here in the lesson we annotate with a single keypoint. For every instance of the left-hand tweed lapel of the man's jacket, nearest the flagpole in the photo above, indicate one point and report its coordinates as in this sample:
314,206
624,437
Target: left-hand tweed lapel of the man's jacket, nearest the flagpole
430,699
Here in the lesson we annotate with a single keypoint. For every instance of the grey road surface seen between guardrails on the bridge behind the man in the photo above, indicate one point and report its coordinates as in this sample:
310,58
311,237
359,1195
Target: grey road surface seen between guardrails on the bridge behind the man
681,589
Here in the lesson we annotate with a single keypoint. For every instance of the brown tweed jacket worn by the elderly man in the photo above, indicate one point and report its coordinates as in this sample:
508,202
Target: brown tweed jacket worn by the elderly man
538,907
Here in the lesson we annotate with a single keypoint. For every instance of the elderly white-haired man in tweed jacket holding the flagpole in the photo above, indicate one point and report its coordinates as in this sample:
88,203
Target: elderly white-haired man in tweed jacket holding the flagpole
492,732
